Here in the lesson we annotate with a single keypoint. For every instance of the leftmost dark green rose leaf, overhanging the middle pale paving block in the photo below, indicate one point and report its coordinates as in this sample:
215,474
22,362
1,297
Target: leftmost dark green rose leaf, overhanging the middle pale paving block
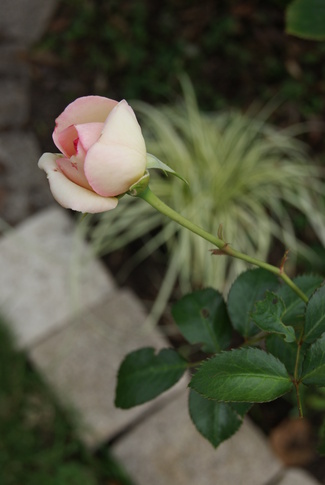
143,375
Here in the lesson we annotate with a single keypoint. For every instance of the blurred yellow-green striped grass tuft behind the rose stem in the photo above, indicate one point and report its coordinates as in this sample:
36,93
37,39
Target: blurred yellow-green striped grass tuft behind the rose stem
246,179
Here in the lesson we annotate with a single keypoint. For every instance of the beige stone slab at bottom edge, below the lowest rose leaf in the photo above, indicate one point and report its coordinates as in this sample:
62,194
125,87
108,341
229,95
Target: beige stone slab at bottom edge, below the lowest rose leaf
167,449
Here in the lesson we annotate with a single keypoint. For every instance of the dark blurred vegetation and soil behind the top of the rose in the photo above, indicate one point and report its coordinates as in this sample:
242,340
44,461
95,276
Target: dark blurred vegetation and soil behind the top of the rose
235,52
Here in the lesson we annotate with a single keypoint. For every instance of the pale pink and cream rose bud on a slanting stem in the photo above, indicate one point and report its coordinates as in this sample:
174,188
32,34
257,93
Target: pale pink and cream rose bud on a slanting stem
103,154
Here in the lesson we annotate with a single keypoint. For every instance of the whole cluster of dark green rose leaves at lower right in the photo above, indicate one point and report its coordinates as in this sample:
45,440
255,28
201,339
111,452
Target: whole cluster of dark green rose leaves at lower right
226,384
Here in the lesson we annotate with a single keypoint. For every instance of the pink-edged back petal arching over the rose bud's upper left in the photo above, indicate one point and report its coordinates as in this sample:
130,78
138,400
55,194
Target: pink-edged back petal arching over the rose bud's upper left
87,109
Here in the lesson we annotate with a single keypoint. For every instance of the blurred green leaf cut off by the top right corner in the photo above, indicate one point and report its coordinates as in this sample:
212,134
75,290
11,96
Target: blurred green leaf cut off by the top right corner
306,19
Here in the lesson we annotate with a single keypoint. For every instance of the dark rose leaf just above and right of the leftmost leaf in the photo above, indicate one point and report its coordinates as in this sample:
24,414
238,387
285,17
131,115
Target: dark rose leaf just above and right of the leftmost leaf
202,318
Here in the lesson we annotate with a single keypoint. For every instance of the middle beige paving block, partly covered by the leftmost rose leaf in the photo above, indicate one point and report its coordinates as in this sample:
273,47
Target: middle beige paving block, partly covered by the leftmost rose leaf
81,362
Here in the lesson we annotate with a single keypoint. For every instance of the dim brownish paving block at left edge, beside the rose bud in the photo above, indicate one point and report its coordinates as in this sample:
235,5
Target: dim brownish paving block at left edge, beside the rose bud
23,187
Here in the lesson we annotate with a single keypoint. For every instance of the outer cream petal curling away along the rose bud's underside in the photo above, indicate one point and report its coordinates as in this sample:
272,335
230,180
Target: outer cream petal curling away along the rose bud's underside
70,195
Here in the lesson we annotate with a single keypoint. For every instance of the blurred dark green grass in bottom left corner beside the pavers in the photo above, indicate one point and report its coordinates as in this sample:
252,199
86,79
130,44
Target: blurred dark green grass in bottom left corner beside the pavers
38,444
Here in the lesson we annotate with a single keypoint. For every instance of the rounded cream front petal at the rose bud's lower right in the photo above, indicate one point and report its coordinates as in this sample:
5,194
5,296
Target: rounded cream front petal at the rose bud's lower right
111,170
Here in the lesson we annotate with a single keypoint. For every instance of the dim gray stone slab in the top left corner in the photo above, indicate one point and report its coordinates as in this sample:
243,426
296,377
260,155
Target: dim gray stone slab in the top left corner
25,21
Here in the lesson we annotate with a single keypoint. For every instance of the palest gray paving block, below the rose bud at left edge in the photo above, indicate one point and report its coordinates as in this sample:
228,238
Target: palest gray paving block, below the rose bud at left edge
47,276
